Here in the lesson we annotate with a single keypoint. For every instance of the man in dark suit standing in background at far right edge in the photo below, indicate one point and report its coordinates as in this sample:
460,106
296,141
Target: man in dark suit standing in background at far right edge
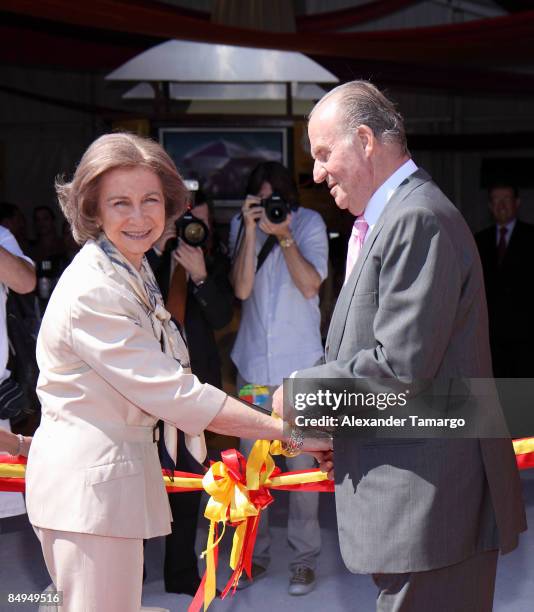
507,252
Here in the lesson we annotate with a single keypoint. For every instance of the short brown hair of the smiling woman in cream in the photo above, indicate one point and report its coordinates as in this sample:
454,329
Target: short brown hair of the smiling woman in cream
79,198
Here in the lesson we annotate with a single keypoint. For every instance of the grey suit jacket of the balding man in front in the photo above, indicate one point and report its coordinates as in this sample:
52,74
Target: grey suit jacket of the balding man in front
414,306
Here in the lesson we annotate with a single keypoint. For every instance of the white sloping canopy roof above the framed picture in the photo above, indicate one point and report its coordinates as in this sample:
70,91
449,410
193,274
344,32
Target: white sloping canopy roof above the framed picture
194,62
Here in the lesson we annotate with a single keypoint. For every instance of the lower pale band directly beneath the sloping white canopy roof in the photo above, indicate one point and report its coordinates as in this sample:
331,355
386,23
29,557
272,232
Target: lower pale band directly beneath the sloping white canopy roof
229,91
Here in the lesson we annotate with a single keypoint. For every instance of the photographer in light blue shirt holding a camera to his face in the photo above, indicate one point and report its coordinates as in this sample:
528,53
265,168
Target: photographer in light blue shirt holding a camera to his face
278,267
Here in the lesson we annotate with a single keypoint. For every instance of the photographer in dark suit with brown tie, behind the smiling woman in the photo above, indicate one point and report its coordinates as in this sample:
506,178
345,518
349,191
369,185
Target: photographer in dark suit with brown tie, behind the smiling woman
194,284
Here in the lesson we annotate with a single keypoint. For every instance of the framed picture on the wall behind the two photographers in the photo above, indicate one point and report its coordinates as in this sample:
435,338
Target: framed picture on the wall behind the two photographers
221,159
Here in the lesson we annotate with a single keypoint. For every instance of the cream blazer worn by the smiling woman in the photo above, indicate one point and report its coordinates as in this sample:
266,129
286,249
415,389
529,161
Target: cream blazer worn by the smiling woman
104,382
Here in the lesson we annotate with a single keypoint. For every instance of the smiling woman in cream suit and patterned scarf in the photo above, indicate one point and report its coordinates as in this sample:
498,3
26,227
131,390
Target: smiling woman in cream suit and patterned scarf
111,364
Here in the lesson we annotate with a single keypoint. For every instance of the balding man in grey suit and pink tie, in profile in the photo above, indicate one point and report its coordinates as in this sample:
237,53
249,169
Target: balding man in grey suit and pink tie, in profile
425,517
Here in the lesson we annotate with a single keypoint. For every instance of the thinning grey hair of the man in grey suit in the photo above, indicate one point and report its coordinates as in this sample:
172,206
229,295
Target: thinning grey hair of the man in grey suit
361,103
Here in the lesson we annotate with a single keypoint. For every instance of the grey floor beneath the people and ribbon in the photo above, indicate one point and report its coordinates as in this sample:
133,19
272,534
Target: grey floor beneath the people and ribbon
22,569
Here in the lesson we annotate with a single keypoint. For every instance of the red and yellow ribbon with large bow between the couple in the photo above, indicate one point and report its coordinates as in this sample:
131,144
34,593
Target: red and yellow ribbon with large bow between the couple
239,490
